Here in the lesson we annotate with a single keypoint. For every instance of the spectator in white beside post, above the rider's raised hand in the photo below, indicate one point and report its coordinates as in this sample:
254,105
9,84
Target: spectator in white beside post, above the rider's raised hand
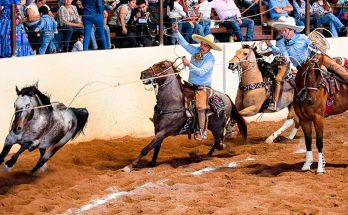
175,13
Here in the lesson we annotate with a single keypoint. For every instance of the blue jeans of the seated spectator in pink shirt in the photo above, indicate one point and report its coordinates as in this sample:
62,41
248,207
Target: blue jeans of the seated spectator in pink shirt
234,25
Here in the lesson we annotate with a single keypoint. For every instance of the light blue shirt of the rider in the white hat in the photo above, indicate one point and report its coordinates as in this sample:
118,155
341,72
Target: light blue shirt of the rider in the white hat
299,51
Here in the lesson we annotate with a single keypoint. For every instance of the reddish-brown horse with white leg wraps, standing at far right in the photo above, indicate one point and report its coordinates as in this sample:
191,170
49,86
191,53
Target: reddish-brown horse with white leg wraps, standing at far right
318,95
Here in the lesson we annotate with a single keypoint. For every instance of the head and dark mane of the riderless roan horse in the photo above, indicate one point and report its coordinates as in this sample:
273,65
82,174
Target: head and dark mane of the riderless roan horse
28,98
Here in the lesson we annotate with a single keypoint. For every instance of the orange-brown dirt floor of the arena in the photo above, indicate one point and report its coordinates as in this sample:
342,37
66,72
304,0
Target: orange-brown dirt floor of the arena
252,178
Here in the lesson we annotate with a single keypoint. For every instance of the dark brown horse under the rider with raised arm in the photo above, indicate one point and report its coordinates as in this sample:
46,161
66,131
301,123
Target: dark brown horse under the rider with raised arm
170,113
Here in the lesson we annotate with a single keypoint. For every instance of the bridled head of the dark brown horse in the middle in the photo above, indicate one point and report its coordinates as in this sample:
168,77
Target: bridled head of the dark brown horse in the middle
157,73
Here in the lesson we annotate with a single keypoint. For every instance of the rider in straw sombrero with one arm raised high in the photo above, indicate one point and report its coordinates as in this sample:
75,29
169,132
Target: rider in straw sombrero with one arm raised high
200,71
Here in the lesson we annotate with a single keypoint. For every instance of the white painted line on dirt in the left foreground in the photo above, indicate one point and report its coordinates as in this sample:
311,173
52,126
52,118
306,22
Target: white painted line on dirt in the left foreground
114,195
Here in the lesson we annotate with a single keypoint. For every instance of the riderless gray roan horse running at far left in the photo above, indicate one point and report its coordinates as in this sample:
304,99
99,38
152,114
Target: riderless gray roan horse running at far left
40,124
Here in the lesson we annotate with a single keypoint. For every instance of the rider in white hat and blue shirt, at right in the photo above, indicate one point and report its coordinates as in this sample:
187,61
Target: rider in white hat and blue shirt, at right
296,47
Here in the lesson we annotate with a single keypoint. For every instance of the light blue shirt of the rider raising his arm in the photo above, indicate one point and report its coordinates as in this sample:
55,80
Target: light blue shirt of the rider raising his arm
201,71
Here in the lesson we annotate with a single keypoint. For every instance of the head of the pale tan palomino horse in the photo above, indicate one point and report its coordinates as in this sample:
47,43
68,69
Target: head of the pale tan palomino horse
243,57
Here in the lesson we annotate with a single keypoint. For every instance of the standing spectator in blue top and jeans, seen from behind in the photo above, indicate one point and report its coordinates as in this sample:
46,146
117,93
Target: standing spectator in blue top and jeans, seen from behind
93,14
